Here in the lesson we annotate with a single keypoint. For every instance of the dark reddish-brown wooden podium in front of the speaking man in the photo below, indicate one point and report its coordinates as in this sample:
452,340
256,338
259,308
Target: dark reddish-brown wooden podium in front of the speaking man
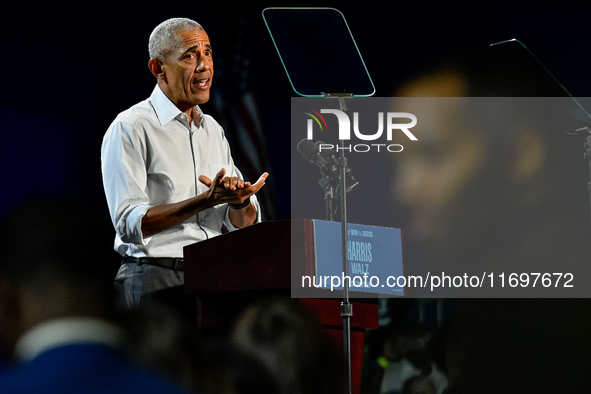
229,272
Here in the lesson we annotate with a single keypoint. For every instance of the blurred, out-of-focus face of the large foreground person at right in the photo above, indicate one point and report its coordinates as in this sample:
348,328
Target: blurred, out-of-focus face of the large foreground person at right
435,175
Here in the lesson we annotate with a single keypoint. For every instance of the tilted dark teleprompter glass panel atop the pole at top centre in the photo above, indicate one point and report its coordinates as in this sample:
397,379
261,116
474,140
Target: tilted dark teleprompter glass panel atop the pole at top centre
318,52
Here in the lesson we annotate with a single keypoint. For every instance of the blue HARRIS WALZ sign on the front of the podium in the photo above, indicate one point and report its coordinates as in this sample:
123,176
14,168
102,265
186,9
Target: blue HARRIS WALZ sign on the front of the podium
374,256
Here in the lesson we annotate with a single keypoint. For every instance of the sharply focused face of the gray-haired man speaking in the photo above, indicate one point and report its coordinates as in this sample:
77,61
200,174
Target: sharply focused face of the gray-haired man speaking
189,70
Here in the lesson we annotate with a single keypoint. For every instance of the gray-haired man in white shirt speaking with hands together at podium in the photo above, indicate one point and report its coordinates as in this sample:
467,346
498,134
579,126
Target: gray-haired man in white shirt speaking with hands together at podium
168,173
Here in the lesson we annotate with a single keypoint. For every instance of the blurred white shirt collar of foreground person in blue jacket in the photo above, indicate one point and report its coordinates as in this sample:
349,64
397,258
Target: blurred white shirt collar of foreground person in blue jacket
65,331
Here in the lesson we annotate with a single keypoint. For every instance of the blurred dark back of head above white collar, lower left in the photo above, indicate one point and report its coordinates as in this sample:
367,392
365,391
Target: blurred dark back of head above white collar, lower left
51,265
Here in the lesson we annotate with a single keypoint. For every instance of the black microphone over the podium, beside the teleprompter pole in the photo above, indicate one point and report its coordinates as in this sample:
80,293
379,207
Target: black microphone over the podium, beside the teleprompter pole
327,160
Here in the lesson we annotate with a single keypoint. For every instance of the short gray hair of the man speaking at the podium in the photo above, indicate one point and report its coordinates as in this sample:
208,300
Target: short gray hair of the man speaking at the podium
164,39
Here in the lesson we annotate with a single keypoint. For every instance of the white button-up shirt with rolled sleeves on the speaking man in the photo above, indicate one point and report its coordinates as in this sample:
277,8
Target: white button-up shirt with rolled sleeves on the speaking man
151,156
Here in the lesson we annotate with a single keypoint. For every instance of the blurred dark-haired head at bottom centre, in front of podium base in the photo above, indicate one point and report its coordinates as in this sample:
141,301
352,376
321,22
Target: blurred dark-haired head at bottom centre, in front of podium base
290,343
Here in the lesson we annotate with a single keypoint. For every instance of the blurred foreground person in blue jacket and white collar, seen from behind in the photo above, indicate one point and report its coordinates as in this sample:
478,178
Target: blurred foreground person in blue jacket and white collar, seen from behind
57,305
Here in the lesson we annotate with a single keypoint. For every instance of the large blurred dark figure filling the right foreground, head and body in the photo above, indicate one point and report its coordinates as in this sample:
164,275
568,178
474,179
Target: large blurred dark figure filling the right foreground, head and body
493,185
